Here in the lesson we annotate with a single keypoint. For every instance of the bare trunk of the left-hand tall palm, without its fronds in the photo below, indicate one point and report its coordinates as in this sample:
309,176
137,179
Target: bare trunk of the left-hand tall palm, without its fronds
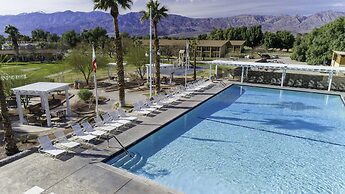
119,57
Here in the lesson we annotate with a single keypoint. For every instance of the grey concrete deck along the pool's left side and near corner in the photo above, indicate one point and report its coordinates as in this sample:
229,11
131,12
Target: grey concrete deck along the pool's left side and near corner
84,172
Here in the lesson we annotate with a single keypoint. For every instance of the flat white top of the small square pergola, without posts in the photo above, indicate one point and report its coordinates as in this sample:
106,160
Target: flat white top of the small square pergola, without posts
40,87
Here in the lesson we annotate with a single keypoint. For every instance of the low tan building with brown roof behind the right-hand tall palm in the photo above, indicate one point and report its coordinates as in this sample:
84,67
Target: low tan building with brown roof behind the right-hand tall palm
205,48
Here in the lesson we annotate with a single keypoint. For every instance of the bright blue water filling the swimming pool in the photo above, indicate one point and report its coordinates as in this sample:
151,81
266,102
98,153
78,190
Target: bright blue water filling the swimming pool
249,140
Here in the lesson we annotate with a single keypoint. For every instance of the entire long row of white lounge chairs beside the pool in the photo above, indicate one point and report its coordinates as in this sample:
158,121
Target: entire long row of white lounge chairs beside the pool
112,121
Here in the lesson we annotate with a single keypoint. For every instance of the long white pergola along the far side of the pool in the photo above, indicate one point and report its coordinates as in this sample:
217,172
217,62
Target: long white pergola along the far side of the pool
278,66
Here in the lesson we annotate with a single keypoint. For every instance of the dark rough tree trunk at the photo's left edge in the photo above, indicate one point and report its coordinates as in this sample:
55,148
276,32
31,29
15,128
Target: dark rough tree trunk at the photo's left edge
10,142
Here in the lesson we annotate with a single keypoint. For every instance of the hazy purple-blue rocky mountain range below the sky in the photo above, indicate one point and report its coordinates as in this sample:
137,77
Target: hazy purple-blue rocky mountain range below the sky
174,25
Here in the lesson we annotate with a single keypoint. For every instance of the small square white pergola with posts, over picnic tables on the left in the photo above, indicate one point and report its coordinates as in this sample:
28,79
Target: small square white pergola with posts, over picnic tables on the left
42,89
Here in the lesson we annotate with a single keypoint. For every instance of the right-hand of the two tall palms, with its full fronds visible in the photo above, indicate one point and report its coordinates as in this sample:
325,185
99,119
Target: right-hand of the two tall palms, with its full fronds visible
158,13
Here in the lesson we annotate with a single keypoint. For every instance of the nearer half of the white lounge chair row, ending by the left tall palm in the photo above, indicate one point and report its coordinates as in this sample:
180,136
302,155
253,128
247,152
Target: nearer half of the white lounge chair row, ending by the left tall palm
85,132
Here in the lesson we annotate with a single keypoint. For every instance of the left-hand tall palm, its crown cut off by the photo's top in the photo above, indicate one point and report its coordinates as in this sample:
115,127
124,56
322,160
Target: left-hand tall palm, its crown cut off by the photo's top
113,5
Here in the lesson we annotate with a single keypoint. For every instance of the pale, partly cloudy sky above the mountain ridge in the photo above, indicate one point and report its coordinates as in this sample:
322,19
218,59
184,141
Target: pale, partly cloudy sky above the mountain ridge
191,8
